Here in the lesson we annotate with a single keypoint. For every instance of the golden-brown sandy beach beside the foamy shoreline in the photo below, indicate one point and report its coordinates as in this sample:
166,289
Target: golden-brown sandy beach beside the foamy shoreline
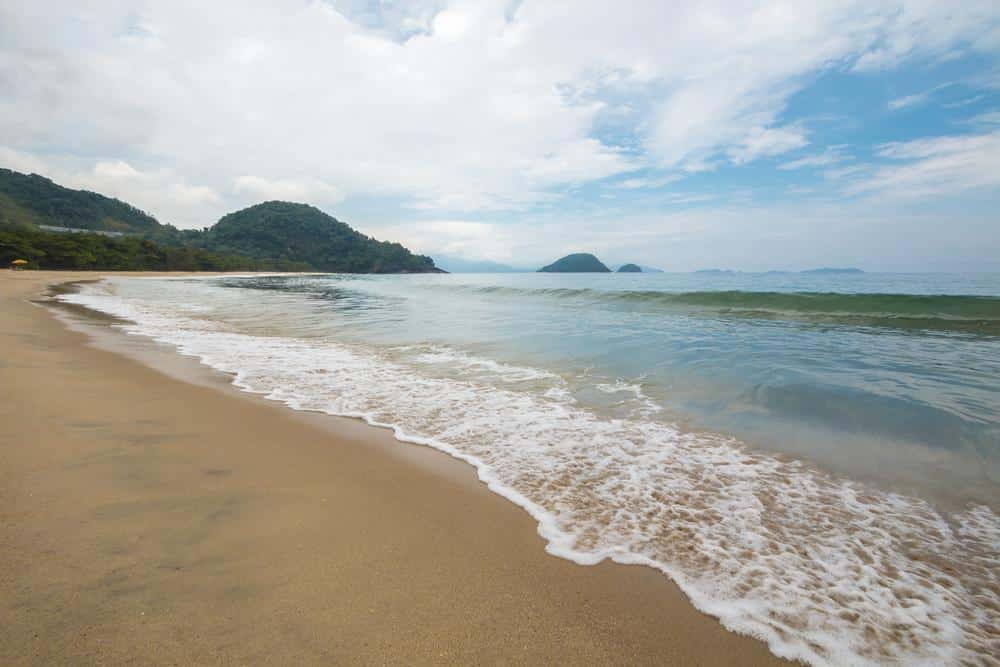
152,517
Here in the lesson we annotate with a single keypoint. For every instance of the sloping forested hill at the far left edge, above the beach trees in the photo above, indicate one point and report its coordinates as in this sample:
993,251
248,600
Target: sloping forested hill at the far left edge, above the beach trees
34,199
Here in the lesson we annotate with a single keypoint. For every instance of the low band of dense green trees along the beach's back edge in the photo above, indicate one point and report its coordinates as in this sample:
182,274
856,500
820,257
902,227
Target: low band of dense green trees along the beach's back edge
82,251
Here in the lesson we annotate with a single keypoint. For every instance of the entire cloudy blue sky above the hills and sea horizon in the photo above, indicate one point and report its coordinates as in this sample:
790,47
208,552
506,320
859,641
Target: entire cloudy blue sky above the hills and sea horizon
710,134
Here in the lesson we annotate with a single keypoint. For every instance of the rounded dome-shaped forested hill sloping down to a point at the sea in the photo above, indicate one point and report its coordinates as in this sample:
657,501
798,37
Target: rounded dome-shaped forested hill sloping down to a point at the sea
283,231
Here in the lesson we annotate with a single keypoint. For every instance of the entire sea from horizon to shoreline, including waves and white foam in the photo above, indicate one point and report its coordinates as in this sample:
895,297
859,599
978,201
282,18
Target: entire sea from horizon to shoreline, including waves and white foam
813,458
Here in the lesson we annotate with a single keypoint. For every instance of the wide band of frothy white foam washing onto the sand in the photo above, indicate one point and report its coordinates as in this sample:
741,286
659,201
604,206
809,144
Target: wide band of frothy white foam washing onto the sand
823,569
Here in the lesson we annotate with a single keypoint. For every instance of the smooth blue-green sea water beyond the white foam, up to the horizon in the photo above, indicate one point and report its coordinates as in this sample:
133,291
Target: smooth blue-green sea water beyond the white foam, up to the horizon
893,378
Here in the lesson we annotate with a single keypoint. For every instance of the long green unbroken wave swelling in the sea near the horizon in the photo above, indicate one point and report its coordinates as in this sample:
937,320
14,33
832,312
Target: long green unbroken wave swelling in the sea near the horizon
960,313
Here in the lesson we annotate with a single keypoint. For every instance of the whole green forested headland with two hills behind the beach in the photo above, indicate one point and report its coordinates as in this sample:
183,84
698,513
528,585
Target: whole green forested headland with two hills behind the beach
54,227
